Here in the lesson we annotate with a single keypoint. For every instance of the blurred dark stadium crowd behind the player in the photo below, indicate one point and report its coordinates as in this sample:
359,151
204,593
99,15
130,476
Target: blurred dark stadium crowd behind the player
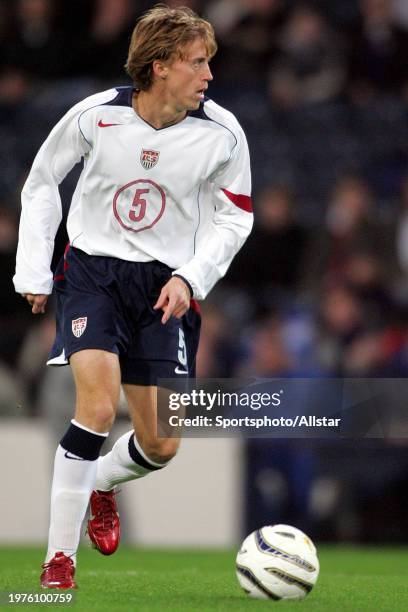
321,89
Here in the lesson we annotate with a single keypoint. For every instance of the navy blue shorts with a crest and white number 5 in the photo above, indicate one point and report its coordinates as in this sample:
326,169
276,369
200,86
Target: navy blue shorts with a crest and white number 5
107,303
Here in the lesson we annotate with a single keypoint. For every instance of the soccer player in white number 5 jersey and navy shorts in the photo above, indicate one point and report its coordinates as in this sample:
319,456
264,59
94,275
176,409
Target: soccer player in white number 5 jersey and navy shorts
161,208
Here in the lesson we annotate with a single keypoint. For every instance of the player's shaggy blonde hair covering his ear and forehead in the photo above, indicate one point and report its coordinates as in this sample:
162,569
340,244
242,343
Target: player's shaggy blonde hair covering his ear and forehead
162,34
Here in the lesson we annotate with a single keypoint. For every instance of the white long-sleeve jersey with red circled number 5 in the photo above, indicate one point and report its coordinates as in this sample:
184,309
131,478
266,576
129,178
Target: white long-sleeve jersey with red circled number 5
179,195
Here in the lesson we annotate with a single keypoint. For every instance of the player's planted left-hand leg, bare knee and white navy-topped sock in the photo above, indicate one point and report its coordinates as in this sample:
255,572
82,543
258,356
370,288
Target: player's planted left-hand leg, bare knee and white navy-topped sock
97,380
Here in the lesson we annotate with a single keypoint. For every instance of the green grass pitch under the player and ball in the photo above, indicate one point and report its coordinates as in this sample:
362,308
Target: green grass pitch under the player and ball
351,579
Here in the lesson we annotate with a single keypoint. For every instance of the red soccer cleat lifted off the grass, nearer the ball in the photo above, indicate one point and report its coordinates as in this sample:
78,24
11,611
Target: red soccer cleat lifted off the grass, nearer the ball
104,526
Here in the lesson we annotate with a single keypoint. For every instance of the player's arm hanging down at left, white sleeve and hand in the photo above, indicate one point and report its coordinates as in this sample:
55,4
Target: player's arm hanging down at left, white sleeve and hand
42,211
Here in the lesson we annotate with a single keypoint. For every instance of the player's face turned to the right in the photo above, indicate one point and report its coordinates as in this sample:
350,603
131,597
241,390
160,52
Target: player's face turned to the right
187,78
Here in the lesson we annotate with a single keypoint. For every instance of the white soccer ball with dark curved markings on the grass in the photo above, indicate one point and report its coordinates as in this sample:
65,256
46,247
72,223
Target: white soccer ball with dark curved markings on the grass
277,562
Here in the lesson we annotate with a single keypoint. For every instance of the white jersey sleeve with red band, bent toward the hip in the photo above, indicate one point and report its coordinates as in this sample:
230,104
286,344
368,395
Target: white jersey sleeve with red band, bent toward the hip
231,223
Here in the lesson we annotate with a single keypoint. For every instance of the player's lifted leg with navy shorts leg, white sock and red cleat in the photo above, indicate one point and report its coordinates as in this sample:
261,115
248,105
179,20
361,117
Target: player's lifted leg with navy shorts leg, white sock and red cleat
156,352
